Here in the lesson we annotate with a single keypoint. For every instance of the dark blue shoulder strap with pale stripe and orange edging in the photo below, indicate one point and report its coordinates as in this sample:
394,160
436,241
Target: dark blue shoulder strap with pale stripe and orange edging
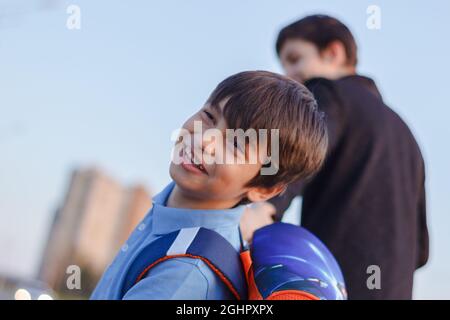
199,243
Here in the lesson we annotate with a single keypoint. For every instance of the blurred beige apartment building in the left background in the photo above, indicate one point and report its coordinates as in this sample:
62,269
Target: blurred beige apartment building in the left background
94,220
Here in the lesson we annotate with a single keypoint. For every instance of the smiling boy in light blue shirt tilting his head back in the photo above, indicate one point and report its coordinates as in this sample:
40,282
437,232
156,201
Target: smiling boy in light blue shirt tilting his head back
211,194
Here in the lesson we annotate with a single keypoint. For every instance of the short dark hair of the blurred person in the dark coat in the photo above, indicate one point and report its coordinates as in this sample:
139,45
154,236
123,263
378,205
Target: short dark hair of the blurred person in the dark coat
321,30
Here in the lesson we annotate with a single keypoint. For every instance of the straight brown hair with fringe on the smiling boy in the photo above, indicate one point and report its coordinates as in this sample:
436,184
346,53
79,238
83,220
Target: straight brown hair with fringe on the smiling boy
265,100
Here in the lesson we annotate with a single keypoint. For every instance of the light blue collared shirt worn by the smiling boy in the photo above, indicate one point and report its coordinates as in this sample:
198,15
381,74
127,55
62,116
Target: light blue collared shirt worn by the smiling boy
178,278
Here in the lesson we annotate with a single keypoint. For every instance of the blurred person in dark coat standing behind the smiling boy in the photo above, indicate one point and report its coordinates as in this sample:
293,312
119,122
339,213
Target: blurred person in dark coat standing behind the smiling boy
367,203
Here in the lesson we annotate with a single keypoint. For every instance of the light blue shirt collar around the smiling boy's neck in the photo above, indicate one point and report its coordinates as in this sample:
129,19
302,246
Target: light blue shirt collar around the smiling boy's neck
166,220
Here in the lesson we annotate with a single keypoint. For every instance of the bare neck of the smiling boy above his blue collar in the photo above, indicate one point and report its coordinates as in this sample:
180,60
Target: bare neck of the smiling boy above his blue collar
180,199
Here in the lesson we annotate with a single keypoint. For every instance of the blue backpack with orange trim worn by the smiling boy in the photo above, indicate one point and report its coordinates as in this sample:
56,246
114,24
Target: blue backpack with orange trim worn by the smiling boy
284,262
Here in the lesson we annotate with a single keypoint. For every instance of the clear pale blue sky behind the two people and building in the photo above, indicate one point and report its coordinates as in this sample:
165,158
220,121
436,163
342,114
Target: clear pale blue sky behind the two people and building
111,93
